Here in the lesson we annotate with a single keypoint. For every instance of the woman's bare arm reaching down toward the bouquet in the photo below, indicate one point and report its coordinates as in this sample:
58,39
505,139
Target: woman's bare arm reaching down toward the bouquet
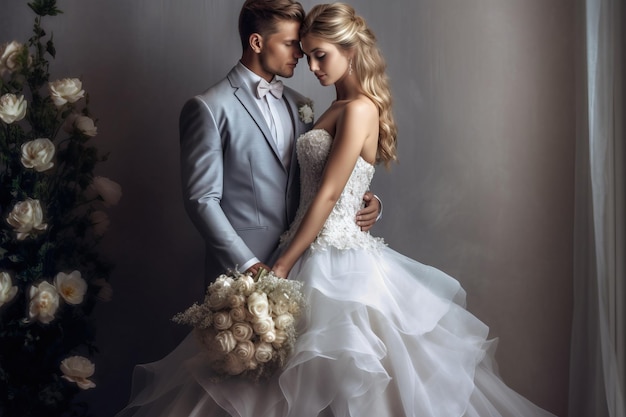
350,137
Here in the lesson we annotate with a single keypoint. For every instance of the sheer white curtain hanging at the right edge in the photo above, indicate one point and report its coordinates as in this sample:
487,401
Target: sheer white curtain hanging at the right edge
597,377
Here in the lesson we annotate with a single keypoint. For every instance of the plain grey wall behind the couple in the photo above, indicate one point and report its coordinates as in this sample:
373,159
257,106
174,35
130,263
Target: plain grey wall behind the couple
484,97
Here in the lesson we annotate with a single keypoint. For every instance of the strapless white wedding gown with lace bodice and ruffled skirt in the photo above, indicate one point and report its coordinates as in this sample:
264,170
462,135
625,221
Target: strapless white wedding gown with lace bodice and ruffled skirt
384,335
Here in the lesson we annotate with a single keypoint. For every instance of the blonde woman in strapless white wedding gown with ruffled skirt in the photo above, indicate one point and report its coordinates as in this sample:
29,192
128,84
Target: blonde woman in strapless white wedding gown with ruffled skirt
384,335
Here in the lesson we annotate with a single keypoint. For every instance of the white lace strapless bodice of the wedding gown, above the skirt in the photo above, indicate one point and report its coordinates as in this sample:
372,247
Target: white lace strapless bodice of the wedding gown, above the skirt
340,229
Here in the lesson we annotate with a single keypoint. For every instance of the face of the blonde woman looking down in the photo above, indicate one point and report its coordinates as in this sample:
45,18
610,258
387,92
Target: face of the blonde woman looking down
328,62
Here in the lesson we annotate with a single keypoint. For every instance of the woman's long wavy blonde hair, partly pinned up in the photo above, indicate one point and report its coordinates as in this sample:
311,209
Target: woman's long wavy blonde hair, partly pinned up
339,24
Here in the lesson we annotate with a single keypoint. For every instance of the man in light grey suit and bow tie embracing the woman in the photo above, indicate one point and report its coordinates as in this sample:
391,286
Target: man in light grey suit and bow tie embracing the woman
239,170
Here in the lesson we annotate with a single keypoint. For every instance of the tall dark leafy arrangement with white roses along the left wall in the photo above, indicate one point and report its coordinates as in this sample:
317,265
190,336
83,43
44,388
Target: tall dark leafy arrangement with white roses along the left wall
53,216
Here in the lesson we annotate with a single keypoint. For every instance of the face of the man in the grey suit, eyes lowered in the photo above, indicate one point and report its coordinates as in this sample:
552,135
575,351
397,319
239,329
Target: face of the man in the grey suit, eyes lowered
281,51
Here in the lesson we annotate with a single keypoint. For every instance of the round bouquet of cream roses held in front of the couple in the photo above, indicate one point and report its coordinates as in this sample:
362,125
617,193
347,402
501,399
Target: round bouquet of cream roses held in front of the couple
247,324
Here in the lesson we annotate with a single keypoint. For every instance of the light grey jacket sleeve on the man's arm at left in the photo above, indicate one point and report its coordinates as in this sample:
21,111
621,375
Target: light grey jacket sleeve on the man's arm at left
202,171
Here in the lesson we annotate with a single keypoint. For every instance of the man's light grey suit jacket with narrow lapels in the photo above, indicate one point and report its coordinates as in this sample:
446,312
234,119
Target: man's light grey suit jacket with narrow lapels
236,190
